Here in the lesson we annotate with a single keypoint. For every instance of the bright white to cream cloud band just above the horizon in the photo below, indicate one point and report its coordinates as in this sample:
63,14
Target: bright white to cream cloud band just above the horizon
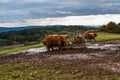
69,20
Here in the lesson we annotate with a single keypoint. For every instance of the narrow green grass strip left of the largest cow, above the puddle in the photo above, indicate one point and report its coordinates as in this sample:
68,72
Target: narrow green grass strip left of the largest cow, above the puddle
20,48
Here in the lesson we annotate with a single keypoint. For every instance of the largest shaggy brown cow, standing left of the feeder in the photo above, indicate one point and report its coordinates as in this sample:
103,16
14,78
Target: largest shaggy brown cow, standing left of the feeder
55,41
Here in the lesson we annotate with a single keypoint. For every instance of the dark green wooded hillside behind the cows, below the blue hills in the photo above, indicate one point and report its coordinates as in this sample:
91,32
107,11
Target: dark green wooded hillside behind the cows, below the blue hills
30,35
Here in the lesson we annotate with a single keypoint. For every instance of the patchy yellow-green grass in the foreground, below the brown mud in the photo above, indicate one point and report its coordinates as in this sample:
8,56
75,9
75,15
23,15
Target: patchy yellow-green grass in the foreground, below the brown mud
37,71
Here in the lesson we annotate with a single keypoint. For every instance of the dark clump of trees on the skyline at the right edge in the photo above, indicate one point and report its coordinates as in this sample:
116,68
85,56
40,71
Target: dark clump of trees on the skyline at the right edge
111,27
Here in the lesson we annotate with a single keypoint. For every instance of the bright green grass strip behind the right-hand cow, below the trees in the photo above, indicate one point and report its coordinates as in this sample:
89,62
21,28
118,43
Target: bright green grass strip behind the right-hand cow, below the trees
107,36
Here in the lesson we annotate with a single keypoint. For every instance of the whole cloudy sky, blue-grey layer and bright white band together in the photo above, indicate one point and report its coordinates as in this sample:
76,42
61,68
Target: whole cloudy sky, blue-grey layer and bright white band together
14,13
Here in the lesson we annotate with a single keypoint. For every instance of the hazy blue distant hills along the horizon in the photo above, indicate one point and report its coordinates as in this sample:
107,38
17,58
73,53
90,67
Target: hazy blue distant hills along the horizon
6,29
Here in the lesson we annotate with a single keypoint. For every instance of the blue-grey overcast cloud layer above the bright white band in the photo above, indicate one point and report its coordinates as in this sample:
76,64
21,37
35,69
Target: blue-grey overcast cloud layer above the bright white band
13,12
